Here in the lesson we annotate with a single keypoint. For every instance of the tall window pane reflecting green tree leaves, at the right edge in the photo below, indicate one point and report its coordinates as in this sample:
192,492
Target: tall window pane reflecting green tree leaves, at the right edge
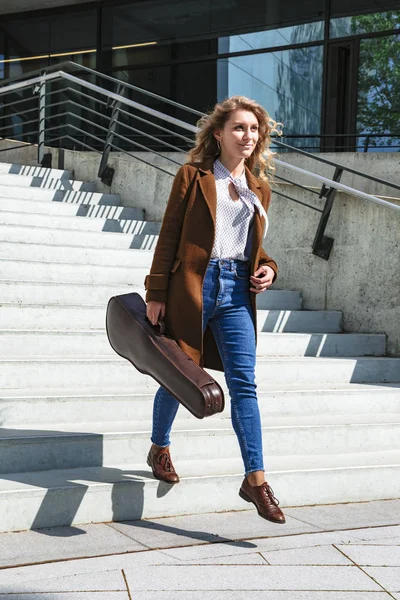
378,108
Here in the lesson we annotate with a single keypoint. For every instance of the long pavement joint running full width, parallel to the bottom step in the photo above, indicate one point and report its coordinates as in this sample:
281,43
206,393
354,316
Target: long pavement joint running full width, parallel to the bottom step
205,543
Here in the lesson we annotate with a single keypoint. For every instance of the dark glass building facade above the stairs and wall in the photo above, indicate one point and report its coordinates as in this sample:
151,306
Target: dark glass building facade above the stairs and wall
329,70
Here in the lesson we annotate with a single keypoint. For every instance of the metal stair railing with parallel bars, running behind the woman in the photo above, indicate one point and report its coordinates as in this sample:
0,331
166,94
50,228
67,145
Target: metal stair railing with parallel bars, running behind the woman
59,109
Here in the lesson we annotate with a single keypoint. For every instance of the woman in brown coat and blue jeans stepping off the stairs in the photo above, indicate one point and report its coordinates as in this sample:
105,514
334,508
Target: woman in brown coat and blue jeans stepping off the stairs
207,269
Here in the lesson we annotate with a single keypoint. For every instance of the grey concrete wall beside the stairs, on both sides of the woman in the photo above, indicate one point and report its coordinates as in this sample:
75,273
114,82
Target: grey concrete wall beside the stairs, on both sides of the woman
362,276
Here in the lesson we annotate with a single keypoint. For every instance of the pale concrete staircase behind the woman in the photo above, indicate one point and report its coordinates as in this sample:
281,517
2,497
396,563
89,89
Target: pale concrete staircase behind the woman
76,418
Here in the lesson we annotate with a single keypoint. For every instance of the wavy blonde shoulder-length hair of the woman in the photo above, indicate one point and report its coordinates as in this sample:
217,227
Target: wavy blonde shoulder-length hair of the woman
261,160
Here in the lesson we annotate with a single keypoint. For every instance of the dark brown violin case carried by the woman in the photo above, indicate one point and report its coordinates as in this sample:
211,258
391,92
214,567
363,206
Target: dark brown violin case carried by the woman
153,351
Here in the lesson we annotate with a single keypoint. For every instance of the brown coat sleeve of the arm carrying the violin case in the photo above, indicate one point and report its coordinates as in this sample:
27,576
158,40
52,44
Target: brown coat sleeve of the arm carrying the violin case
156,282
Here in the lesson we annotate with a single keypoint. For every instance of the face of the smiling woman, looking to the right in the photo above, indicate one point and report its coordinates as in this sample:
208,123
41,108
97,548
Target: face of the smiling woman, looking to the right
240,134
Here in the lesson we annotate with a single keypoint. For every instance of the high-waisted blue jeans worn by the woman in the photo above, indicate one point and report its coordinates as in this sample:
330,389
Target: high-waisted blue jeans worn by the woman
227,309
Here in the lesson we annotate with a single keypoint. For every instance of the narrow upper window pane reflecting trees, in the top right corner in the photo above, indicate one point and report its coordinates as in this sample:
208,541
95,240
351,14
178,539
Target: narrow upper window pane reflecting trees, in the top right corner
370,23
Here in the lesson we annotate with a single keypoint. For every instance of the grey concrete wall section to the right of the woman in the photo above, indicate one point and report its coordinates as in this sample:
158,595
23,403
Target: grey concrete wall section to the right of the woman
362,276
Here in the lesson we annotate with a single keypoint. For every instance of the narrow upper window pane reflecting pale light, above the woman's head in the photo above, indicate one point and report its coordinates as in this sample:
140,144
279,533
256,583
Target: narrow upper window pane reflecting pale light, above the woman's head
286,36
